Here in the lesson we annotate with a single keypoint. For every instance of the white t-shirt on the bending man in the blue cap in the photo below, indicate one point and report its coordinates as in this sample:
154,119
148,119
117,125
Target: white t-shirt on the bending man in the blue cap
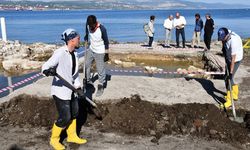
235,45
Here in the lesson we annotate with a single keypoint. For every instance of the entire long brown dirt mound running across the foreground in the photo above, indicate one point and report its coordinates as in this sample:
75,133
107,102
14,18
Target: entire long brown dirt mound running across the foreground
134,116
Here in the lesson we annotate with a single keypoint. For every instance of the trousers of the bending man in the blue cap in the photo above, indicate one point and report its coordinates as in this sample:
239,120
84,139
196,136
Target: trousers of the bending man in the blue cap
236,66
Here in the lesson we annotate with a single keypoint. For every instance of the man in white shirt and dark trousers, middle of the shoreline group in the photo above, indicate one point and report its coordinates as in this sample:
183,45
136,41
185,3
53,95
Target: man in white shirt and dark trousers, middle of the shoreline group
179,24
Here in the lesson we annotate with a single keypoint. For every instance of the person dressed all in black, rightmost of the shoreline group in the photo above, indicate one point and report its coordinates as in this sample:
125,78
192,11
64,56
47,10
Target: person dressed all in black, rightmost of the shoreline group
208,31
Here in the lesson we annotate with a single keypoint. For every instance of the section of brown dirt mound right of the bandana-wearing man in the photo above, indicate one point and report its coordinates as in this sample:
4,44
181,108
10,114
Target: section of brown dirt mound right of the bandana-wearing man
134,116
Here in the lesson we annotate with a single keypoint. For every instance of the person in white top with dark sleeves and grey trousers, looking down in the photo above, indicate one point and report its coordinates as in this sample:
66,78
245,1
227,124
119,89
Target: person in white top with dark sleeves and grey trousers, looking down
97,37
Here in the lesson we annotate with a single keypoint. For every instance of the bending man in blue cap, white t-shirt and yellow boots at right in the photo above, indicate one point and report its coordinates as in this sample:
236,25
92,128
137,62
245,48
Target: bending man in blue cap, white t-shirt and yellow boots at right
233,51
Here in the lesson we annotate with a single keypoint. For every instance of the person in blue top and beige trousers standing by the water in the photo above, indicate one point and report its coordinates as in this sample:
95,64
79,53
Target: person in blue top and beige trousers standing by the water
197,31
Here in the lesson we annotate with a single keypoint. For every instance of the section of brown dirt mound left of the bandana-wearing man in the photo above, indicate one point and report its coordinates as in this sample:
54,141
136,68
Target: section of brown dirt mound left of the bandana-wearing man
26,110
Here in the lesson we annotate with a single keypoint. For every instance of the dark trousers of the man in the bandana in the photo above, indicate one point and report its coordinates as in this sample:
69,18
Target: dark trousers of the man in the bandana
67,110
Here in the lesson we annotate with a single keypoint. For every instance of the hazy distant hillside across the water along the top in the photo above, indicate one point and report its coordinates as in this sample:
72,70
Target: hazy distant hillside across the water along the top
123,4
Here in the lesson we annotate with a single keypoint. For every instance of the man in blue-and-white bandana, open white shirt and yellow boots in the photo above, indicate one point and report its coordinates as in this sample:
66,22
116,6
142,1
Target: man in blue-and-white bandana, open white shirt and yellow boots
64,62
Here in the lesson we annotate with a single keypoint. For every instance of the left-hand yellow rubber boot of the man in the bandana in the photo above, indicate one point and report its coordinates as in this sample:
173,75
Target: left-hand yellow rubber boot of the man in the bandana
55,138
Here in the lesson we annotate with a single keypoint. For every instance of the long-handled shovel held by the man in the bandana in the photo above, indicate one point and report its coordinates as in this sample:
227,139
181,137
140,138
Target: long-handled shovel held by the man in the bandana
95,109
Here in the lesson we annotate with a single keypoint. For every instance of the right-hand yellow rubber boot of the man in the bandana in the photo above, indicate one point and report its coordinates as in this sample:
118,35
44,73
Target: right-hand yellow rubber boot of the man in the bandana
72,136
